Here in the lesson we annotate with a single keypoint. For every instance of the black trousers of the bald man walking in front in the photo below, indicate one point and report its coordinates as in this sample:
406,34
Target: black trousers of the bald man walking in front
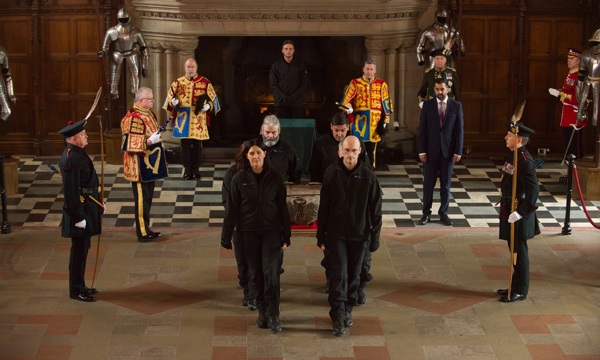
346,263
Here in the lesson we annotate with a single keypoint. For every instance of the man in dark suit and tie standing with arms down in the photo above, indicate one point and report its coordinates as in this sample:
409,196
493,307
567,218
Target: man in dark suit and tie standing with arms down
440,146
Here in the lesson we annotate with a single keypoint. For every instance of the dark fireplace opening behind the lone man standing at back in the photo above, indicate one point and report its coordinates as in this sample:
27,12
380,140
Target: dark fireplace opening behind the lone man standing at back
238,68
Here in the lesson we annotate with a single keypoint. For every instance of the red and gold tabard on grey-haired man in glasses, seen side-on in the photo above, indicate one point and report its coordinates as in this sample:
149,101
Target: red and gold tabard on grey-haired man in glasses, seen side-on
136,127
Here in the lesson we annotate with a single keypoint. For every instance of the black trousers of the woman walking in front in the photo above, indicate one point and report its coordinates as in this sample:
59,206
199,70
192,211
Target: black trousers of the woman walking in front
263,252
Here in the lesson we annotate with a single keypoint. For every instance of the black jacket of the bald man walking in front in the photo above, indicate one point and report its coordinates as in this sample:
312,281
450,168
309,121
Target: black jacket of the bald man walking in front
350,204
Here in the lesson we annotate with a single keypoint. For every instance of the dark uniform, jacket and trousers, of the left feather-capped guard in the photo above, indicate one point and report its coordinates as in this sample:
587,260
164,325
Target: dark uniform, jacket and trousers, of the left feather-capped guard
80,183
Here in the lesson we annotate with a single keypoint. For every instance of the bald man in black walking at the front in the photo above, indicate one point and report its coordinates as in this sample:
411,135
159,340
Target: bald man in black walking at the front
349,221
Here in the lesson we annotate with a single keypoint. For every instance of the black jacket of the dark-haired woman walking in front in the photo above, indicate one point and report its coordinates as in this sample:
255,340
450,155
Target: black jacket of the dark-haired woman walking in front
257,206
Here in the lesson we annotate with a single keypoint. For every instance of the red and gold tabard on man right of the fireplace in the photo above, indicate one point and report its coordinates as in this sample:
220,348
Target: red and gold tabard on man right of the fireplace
371,101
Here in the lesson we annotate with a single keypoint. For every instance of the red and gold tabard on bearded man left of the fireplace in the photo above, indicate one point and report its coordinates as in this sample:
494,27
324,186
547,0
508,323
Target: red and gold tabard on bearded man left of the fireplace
190,122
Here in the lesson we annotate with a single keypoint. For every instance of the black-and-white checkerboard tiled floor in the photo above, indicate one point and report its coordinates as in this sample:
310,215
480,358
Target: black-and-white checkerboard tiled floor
180,203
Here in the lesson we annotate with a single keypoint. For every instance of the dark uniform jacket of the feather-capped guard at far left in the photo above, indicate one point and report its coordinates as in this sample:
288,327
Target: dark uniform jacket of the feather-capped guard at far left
80,182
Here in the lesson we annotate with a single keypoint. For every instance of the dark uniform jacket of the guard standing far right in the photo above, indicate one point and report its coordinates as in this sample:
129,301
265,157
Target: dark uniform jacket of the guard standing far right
526,195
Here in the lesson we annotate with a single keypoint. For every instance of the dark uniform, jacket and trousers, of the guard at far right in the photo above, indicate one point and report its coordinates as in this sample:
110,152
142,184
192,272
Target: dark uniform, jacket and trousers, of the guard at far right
527,227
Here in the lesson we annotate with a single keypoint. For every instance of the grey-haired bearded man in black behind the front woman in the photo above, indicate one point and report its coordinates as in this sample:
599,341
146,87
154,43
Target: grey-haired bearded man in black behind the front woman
281,155
